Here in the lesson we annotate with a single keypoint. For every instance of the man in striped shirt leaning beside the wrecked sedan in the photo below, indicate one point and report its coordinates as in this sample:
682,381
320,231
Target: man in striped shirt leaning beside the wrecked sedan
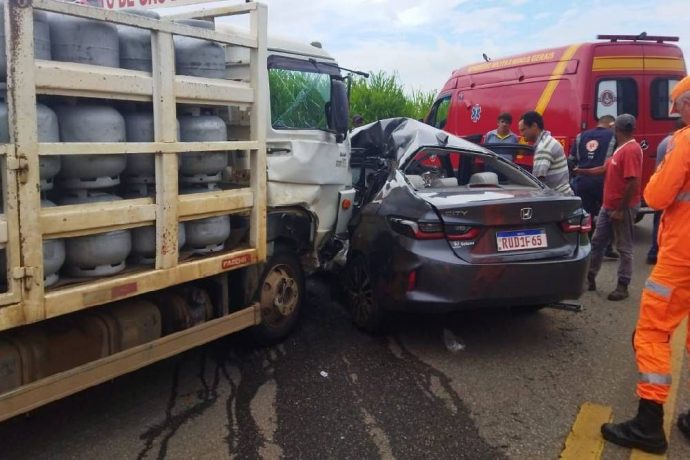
550,164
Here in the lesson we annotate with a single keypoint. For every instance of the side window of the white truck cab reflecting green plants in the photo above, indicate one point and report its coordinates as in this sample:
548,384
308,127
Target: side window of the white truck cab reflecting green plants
300,92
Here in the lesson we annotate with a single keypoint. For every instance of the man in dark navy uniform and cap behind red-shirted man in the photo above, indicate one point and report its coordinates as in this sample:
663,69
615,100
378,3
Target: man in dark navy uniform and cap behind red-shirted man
592,148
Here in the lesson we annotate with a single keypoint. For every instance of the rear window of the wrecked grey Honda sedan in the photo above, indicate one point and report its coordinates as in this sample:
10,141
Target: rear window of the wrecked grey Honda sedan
432,168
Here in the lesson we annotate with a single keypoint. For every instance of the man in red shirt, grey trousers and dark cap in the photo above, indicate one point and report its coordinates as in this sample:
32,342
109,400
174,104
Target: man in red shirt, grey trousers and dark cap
621,202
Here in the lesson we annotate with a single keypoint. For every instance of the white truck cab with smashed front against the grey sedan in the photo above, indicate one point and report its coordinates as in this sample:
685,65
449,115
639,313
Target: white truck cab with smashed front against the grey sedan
309,176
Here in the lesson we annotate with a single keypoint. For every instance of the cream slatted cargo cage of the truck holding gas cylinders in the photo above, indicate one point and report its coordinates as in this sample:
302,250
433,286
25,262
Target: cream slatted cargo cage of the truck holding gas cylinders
26,300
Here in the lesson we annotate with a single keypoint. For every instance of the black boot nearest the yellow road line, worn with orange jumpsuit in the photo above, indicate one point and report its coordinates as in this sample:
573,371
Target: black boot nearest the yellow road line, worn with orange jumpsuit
644,432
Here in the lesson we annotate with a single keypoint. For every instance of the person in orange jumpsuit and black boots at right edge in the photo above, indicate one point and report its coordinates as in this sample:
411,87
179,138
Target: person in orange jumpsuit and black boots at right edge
666,297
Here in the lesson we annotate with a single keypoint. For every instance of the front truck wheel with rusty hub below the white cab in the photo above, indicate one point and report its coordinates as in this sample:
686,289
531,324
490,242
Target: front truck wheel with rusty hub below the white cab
280,295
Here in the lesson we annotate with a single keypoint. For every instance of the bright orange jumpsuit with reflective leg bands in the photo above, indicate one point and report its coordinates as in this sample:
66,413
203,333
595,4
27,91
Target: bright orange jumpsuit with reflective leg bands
666,296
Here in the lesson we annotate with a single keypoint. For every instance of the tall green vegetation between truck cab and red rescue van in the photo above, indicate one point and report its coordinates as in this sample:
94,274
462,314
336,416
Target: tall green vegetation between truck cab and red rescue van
383,96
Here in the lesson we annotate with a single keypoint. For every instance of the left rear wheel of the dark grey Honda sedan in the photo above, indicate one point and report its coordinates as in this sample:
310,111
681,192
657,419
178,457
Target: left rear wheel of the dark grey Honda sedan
359,296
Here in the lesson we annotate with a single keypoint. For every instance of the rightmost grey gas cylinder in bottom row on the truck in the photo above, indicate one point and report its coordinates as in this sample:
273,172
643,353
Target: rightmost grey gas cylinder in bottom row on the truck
206,235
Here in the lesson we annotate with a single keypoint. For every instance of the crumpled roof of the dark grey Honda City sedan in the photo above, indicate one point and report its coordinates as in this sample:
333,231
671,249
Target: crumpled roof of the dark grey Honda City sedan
395,138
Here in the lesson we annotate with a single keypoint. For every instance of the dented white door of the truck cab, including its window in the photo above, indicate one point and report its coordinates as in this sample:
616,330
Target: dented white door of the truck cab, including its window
306,165
